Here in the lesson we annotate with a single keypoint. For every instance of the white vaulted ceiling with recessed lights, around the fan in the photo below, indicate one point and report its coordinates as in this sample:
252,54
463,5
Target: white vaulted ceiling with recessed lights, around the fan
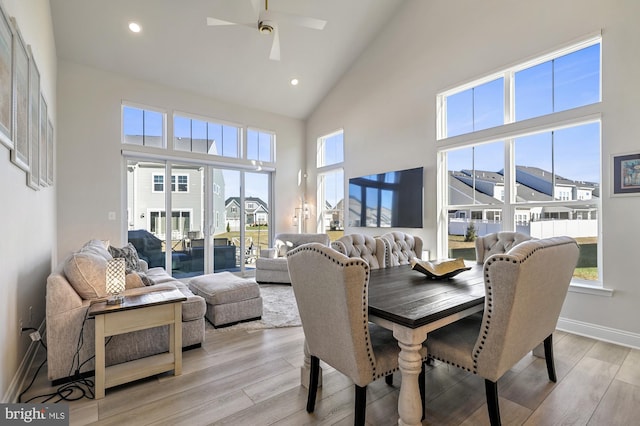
177,48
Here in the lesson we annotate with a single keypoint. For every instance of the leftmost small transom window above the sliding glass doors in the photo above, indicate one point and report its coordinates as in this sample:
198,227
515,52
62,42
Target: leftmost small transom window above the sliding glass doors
143,127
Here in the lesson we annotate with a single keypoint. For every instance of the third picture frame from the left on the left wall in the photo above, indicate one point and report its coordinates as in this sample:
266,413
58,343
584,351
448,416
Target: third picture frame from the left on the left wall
33,175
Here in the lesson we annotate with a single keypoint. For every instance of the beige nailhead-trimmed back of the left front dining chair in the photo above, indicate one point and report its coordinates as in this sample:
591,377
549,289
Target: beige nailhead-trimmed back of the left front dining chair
331,290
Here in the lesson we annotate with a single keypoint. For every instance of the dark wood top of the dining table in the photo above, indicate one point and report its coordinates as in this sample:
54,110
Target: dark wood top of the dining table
407,297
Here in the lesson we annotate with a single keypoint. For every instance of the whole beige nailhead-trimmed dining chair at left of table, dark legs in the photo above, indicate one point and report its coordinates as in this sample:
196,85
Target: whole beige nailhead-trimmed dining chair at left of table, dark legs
331,290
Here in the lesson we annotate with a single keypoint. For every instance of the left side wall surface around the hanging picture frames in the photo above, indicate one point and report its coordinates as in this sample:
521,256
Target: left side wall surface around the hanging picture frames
28,217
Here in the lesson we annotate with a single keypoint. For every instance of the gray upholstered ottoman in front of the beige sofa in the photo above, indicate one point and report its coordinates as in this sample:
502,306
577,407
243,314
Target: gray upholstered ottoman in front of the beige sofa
230,298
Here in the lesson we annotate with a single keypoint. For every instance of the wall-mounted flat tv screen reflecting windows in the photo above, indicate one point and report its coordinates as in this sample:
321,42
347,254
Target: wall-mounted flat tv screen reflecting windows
384,200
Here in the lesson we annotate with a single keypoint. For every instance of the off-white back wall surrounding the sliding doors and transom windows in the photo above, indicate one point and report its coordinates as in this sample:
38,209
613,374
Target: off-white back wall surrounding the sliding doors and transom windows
90,167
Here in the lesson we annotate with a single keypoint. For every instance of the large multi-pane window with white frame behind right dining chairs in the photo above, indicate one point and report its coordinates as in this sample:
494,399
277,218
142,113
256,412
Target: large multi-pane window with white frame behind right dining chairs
514,163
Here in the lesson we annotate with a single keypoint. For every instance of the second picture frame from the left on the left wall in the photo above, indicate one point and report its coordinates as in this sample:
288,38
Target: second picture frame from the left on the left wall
20,101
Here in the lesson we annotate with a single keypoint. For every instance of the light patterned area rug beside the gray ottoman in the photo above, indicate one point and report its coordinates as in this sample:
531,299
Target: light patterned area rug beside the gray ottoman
279,309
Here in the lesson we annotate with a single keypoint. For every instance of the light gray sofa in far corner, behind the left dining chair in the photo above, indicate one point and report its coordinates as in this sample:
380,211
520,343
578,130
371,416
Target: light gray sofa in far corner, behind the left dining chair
271,265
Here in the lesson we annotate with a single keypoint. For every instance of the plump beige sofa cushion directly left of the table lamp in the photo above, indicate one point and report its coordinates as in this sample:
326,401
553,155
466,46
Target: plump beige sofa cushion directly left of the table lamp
86,272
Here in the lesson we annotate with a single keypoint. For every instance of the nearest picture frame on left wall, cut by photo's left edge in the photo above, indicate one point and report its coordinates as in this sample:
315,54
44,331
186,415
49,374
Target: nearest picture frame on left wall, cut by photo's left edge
6,80
